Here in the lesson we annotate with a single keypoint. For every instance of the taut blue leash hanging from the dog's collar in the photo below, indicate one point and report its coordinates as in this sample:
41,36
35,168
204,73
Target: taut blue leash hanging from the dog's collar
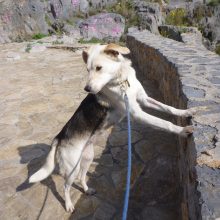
128,182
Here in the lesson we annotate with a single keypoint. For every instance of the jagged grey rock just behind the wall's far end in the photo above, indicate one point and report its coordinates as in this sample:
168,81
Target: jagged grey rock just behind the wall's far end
150,15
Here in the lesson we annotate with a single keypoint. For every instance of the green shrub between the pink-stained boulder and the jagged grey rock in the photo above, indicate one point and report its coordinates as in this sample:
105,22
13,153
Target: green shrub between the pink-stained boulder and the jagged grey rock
127,10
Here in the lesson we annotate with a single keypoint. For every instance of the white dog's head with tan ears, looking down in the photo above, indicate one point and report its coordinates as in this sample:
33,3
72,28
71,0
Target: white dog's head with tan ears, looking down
103,65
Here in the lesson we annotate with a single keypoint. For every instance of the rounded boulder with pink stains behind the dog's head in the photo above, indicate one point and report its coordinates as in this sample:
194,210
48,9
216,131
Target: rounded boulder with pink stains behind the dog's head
103,26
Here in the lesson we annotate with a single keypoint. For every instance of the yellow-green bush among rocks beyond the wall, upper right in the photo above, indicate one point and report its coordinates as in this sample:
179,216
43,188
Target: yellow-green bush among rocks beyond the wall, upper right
177,17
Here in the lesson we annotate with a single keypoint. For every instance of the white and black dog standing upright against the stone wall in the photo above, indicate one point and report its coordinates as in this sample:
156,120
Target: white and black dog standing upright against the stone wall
110,77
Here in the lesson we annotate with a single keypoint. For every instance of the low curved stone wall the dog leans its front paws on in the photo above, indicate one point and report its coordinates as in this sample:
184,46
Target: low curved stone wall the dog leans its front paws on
188,76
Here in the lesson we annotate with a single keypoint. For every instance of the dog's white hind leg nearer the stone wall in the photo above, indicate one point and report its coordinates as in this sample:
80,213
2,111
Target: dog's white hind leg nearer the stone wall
87,158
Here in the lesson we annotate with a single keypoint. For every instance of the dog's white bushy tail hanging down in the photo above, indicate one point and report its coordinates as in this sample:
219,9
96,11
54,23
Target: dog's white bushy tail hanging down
48,167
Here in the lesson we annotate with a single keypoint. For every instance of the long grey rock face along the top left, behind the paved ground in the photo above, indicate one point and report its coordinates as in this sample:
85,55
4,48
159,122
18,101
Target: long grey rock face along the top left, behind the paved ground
20,19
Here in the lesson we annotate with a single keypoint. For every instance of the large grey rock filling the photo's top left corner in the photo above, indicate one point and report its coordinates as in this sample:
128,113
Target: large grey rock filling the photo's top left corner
18,19
